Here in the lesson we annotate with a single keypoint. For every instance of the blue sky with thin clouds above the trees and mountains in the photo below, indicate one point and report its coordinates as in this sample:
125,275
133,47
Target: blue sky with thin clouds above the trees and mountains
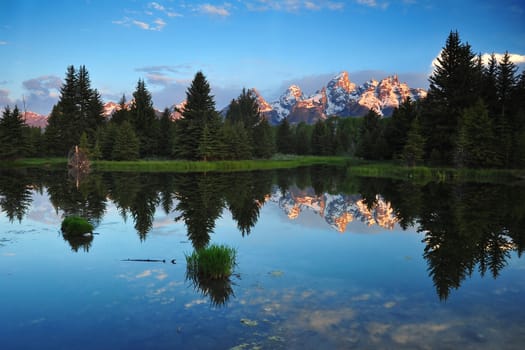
266,44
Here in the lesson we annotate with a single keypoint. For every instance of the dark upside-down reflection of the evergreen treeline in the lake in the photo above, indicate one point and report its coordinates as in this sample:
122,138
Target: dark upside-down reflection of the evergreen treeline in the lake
465,226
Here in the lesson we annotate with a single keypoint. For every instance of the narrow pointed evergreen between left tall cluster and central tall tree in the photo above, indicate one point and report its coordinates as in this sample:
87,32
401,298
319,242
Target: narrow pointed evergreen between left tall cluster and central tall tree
144,120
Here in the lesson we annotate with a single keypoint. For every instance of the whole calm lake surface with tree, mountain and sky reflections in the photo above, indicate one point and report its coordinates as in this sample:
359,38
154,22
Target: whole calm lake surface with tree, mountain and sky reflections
325,261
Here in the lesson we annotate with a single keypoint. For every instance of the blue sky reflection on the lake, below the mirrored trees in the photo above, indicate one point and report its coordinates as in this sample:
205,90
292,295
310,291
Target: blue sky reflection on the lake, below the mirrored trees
301,284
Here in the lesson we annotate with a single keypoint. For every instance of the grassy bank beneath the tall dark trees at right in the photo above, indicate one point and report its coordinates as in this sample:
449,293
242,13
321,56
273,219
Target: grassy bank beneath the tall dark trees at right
423,174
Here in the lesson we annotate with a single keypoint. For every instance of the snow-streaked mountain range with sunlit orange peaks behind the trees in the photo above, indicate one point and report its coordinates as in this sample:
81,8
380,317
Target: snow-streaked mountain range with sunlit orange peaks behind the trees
340,97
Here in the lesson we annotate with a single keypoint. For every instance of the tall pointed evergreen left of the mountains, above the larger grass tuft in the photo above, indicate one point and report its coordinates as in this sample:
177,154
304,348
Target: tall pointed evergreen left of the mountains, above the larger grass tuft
199,111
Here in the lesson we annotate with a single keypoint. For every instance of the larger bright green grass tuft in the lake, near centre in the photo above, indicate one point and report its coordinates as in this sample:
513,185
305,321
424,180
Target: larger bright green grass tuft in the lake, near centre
212,262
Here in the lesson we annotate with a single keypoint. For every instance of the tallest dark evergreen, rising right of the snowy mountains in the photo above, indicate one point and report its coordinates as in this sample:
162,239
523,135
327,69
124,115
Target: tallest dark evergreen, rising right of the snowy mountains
452,89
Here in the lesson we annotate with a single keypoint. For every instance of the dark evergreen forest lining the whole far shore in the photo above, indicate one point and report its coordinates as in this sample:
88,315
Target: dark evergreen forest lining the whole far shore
473,116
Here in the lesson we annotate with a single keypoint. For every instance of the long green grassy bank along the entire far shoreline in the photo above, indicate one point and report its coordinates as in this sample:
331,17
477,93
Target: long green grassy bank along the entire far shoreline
420,174
